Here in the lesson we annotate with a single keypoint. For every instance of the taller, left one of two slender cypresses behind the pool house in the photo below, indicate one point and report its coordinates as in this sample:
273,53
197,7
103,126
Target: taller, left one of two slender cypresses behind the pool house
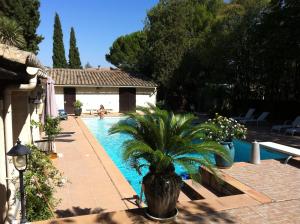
58,57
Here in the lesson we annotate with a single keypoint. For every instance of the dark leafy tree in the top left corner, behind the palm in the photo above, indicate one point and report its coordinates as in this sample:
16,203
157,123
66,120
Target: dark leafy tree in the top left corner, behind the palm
26,14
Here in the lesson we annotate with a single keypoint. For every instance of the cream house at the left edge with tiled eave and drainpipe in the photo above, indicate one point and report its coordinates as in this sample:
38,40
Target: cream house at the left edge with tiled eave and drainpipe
22,79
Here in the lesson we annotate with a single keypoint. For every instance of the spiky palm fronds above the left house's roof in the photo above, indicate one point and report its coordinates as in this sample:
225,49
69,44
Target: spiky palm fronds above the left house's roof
11,33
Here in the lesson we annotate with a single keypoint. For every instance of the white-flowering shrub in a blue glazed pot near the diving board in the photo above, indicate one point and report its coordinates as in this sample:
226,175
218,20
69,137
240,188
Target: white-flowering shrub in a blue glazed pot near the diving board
228,130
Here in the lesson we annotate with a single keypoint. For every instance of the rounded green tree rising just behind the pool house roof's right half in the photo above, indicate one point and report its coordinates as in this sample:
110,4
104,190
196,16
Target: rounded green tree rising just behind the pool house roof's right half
128,52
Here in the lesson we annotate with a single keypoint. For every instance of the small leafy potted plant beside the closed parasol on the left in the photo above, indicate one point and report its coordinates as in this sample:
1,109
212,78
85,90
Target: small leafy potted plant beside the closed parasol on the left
52,129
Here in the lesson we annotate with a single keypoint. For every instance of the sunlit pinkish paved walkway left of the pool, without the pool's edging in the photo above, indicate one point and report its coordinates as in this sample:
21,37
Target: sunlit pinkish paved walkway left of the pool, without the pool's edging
89,186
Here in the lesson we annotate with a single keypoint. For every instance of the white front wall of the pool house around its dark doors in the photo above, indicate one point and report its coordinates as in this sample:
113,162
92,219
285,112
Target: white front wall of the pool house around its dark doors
93,97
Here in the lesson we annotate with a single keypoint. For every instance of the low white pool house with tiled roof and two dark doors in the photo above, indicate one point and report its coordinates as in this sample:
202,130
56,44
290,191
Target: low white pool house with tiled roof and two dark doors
115,89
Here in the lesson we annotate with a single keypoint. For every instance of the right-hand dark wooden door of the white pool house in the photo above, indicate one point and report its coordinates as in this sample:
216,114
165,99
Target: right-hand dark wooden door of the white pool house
127,99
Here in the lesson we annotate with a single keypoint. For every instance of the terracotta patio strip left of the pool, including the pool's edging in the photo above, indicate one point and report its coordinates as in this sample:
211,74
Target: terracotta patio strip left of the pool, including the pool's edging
90,188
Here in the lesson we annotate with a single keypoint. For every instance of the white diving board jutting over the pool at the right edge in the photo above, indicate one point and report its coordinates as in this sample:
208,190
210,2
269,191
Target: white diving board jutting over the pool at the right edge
292,152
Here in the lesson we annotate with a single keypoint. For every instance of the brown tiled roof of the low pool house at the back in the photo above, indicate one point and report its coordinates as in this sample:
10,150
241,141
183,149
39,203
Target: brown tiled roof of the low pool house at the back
98,77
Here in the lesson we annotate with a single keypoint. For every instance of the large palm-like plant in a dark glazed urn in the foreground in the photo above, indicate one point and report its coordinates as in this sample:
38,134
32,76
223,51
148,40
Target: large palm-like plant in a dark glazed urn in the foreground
159,140
